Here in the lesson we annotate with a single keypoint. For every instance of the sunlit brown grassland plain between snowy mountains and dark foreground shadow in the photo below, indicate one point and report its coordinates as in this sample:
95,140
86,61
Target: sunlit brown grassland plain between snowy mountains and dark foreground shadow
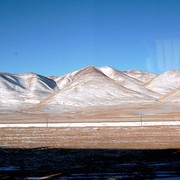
141,137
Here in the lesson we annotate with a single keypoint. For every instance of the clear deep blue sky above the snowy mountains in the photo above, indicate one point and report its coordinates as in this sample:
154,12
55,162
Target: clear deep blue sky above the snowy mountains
56,37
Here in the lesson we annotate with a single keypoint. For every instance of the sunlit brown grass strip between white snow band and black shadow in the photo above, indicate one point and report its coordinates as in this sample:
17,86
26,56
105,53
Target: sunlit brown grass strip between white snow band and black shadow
159,137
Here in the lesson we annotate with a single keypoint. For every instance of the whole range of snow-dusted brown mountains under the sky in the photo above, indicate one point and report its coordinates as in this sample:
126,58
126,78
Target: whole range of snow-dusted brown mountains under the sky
90,86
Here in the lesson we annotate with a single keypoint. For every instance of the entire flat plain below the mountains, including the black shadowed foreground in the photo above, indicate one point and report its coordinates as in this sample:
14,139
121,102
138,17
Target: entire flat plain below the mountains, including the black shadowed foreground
143,152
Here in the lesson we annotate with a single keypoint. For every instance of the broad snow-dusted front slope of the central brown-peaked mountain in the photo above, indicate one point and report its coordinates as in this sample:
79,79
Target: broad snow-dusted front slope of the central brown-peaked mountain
90,86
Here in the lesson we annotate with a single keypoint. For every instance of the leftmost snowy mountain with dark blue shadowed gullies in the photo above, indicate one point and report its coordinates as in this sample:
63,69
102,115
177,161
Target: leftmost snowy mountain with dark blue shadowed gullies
28,87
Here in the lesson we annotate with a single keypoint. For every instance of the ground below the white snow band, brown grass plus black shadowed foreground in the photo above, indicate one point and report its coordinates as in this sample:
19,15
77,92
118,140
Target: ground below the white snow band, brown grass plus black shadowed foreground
90,153
